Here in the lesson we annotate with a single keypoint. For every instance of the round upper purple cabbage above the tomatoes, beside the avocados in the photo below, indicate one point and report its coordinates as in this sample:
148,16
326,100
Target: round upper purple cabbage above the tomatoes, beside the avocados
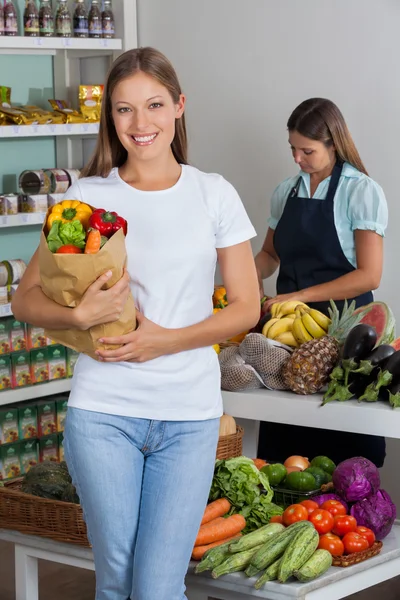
356,478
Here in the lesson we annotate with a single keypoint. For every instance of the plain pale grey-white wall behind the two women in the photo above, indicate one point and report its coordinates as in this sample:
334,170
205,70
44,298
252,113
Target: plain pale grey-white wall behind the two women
246,64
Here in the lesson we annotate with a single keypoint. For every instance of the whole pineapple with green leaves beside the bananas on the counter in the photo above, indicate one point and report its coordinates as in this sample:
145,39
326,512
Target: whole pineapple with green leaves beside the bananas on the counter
309,366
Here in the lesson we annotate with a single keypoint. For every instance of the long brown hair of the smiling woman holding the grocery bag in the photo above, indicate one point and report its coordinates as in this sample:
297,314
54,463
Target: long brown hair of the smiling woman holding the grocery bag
109,151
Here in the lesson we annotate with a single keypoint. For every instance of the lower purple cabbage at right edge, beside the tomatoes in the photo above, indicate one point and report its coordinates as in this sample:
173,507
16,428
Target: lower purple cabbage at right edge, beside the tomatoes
376,512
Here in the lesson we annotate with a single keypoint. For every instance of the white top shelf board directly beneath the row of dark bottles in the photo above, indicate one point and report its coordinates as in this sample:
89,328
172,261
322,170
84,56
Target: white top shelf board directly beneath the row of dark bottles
50,44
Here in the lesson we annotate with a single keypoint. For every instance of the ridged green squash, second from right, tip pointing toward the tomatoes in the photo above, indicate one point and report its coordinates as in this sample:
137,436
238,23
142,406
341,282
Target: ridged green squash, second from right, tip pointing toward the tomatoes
297,553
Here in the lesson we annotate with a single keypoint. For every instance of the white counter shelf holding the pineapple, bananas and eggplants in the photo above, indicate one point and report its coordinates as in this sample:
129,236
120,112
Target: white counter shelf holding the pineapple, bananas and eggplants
375,418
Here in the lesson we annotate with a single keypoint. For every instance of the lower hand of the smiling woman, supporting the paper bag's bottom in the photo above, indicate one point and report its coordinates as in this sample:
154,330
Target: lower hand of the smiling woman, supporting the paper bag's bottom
147,342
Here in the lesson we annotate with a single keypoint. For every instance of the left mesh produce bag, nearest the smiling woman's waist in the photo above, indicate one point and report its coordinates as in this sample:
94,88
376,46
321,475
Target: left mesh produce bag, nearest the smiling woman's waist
236,376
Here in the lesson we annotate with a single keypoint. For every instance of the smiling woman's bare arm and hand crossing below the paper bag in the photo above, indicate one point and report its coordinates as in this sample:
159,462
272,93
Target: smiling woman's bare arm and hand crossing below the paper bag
243,312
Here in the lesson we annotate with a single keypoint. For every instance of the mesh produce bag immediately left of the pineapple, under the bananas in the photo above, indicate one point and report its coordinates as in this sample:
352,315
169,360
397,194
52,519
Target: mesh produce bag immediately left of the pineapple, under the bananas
266,358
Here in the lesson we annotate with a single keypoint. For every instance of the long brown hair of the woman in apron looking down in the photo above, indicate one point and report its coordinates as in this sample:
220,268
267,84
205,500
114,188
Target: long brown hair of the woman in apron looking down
320,119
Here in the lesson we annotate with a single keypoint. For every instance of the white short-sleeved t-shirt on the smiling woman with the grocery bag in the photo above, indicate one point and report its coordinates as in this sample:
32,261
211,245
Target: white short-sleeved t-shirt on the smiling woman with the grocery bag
171,245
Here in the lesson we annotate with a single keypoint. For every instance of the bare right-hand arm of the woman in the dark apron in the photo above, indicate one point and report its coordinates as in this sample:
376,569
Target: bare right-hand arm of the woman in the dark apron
366,277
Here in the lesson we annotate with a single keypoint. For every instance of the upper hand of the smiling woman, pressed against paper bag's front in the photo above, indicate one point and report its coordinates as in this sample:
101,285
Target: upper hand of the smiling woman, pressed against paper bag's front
100,306
